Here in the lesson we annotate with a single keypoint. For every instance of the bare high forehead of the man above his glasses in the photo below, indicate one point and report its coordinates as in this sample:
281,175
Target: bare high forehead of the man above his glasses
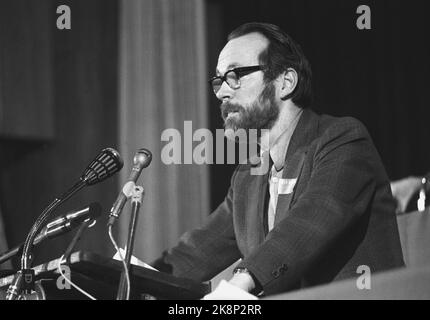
241,51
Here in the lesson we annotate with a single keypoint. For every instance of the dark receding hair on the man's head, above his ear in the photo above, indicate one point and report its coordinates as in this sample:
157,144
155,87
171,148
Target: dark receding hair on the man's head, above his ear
281,53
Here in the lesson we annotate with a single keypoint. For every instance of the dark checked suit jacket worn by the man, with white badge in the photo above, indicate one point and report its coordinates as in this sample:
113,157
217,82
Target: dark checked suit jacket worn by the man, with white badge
340,215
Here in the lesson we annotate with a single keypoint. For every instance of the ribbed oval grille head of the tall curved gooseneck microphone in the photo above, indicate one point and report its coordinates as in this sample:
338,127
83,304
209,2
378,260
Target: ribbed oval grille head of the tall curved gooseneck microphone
107,163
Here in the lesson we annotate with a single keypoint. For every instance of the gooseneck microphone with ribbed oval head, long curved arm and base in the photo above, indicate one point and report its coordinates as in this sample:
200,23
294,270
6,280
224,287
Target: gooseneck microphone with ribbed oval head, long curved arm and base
107,163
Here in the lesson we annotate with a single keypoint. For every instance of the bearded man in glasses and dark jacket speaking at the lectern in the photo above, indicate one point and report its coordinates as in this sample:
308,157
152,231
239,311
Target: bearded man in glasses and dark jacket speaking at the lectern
323,208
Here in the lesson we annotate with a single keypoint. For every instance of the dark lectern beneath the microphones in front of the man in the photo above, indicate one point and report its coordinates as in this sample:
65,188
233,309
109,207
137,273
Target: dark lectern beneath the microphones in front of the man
99,276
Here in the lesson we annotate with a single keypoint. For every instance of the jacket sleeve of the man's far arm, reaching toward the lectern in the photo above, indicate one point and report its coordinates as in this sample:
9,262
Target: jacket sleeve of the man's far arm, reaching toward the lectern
203,253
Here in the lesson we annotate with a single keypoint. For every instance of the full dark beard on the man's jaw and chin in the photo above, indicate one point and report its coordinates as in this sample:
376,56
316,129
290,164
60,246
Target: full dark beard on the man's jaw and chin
261,114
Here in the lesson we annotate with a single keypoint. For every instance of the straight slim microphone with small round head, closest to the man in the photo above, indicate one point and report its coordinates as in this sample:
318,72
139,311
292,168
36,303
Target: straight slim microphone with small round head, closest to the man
141,160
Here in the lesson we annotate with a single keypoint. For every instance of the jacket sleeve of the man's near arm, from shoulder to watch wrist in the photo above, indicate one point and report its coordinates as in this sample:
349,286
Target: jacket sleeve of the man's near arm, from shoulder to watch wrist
340,188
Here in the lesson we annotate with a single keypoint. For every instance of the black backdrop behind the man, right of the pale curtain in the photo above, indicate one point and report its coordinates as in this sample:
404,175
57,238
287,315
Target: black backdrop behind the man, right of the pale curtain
380,76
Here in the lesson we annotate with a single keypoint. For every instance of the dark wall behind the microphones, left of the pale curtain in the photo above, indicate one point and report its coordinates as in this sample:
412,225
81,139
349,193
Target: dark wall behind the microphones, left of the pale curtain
73,74
